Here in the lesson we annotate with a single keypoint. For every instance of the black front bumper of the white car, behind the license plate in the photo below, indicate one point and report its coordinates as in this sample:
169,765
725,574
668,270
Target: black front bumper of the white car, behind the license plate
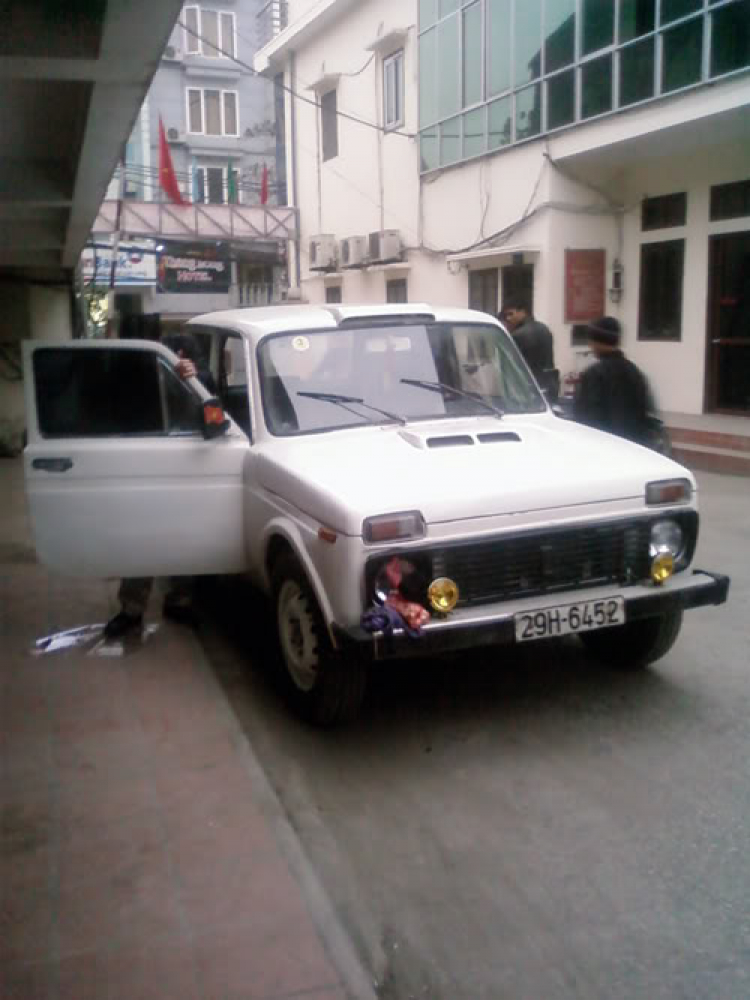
492,624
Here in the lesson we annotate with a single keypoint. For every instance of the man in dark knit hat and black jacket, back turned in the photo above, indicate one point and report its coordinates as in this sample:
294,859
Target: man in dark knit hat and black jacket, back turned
613,394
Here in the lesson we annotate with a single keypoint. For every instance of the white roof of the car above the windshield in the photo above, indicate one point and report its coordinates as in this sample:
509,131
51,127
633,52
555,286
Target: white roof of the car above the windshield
257,322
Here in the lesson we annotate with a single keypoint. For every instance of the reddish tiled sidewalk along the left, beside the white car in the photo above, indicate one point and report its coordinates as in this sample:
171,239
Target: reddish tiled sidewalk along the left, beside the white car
142,854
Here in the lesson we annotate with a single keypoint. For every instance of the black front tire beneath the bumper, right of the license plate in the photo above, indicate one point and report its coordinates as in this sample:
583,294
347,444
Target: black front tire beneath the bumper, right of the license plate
635,644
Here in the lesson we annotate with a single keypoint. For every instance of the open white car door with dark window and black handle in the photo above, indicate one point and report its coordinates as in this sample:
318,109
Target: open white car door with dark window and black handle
120,479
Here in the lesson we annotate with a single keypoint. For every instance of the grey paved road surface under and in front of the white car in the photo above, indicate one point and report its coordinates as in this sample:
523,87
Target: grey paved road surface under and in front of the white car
530,825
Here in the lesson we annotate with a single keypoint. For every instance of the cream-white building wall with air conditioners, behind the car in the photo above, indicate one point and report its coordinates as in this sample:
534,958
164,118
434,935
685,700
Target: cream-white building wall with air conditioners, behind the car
545,189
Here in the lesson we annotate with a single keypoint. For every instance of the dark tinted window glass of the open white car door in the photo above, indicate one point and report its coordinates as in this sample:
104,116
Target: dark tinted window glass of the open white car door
103,393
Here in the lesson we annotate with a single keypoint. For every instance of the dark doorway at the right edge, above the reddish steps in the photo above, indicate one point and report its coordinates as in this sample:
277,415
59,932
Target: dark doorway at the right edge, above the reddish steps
728,347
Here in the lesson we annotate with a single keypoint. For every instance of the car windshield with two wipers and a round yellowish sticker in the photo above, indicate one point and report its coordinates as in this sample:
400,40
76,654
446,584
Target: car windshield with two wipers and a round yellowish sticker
388,374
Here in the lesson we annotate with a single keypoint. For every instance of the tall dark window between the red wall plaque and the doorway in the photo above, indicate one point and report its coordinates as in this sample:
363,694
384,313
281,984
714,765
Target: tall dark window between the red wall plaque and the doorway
660,306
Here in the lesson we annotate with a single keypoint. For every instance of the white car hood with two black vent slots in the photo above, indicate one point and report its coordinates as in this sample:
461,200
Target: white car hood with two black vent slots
450,470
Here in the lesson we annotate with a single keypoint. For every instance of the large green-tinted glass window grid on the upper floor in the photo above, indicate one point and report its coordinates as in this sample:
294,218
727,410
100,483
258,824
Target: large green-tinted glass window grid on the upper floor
532,66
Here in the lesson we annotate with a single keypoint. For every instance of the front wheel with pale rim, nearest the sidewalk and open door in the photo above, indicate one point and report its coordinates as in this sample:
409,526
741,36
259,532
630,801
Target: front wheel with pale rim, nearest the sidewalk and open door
320,685
